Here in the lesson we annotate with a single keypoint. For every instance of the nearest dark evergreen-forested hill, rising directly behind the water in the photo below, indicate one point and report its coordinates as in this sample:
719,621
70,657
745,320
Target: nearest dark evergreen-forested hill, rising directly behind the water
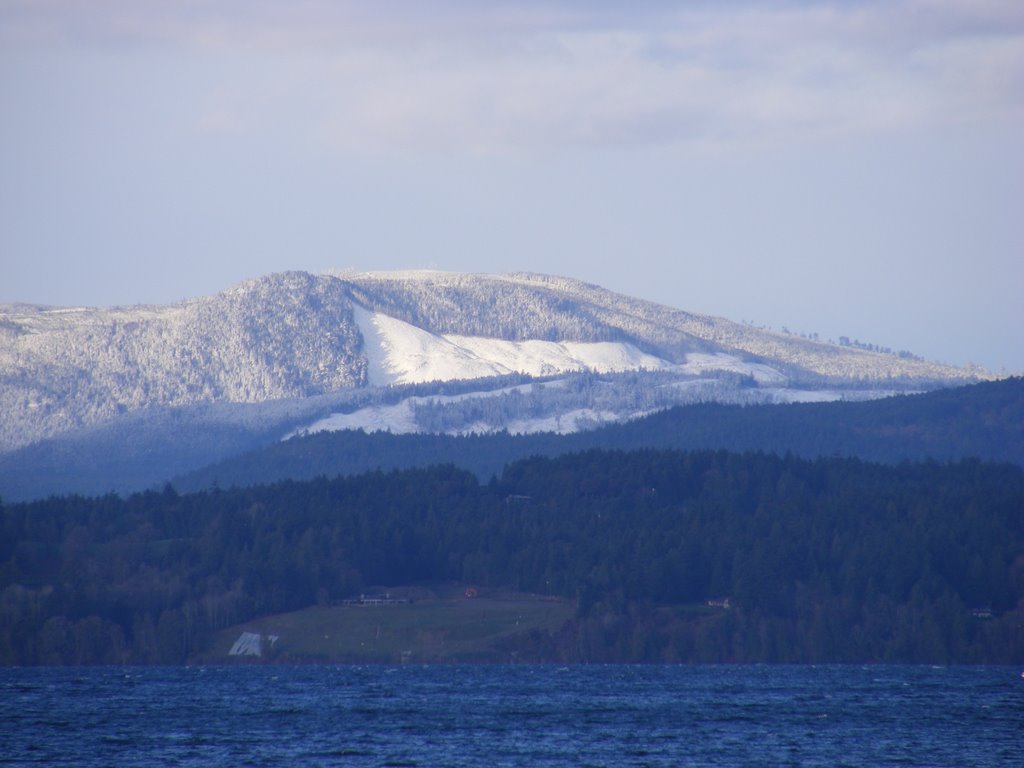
825,561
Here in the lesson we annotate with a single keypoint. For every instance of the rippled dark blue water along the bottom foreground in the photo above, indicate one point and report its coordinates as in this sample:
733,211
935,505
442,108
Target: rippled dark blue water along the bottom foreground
513,716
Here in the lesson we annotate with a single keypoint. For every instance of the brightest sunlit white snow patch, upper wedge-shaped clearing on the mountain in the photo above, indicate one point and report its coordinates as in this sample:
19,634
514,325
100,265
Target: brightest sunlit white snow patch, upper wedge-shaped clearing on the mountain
401,354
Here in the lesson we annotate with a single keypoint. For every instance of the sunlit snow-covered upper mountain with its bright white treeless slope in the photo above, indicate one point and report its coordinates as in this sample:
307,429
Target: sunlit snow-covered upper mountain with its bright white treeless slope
296,336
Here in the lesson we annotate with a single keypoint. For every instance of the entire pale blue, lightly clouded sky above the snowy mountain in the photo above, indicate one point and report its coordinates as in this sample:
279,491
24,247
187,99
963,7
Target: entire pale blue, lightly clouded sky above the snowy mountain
840,168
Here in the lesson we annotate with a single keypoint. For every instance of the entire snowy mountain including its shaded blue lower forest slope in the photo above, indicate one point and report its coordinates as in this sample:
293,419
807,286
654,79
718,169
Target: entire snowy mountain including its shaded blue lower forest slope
123,399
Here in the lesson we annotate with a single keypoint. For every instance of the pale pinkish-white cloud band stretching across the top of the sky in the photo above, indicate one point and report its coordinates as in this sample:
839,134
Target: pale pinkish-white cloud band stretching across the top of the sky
533,76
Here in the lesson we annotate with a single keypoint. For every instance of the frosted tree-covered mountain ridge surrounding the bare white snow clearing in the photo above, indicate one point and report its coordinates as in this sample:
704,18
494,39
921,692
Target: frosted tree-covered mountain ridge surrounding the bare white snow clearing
295,335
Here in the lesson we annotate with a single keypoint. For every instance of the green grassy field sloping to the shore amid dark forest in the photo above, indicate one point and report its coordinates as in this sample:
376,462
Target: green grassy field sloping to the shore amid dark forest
441,626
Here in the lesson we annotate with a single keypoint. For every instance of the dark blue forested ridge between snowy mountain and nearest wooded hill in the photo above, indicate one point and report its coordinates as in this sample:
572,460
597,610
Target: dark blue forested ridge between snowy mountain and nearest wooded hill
984,420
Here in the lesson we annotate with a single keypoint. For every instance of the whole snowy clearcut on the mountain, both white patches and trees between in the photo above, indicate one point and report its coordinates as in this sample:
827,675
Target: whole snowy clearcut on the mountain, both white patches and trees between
400,354
